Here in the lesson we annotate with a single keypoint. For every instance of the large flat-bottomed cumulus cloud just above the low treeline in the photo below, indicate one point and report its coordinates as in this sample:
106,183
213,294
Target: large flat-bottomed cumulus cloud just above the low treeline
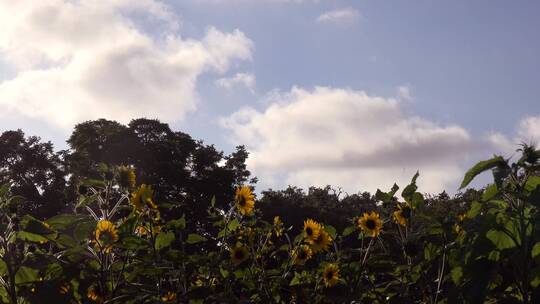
348,138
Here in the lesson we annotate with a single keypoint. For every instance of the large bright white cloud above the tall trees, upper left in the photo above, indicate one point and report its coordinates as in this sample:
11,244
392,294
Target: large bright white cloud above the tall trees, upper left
79,60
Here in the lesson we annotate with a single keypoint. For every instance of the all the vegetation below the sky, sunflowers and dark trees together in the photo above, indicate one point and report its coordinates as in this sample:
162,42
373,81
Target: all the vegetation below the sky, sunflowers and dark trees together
143,214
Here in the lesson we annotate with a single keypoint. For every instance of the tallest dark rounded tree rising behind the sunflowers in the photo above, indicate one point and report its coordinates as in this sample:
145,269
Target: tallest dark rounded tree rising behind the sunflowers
182,171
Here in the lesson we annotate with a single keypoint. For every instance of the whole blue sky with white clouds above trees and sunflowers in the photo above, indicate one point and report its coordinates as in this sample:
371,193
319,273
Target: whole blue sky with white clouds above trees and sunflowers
355,94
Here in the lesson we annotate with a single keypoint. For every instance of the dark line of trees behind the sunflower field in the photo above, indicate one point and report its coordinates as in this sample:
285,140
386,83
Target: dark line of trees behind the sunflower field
183,171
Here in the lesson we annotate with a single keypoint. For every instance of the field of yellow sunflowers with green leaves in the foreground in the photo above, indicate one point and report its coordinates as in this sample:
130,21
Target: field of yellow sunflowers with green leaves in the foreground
121,245
